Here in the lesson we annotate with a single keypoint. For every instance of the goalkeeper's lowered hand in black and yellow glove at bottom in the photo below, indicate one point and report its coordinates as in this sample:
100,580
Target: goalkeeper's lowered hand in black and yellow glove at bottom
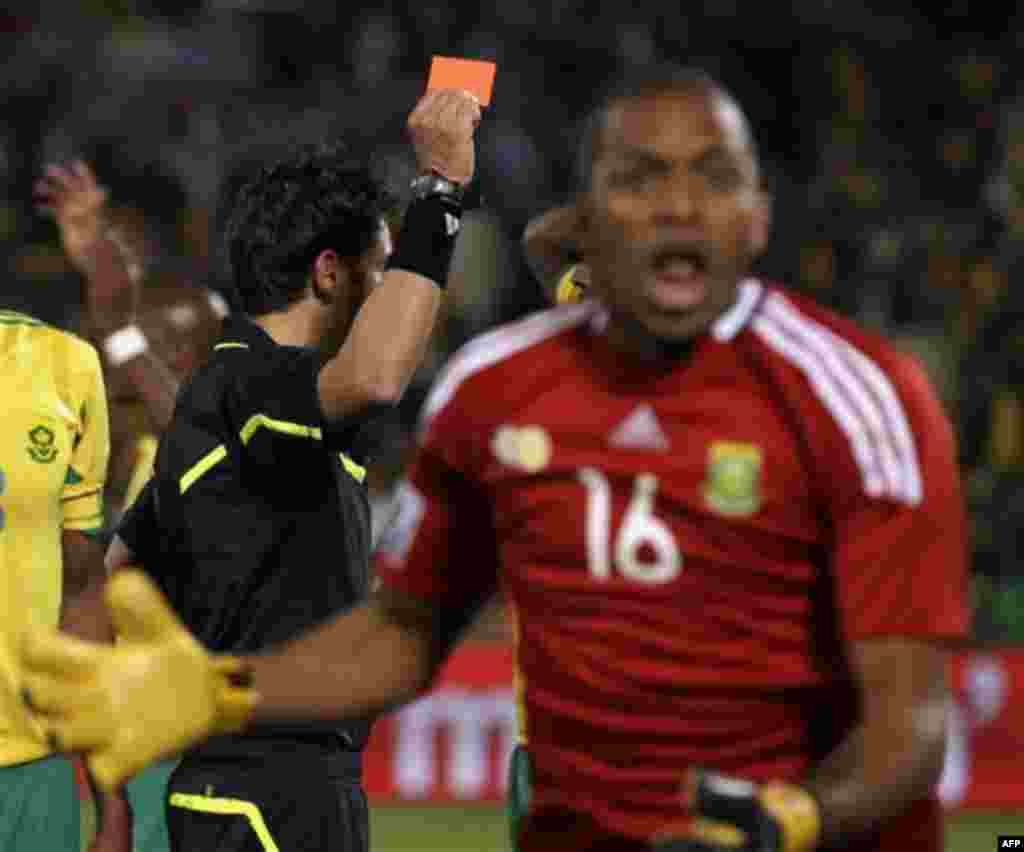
738,815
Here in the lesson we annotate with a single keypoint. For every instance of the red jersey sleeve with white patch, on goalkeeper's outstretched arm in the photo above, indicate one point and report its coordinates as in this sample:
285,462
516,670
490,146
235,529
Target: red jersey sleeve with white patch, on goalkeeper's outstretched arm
442,545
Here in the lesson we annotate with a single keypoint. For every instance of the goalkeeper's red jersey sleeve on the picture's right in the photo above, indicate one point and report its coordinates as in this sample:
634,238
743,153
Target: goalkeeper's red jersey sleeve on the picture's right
900,561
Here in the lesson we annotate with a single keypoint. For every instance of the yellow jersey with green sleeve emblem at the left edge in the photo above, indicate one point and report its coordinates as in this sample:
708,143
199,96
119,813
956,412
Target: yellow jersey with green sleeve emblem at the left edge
55,445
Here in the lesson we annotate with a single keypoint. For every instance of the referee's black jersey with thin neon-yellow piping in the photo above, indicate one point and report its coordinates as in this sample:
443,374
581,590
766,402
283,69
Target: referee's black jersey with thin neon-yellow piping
257,524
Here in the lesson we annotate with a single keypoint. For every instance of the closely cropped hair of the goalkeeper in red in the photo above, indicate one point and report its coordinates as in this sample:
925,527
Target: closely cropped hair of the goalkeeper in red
644,81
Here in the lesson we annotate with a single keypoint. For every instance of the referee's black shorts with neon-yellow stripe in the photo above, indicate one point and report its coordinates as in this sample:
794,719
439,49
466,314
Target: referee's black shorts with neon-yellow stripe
269,795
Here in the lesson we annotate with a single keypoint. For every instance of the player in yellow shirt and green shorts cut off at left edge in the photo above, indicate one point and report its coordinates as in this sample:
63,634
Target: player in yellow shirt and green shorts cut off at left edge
55,444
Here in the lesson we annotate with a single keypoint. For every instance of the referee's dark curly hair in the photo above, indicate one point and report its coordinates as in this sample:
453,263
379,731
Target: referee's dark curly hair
288,212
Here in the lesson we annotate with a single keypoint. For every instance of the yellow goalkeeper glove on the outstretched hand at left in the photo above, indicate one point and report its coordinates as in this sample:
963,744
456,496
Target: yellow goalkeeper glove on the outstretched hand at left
153,695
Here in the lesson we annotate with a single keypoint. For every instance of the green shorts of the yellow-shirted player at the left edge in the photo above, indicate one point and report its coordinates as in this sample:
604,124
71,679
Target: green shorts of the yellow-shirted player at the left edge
39,806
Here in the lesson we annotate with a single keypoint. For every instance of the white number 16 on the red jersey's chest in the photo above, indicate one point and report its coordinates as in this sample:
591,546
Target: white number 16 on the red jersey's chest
639,528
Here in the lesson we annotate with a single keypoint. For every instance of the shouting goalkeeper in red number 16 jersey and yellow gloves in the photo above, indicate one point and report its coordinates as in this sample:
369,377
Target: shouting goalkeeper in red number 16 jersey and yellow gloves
729,525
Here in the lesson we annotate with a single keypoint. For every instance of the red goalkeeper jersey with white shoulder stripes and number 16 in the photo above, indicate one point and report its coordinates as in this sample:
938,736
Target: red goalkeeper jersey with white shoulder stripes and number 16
688,552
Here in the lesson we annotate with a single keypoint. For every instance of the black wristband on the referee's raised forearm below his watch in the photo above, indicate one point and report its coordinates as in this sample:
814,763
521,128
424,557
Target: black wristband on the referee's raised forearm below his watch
428,238
